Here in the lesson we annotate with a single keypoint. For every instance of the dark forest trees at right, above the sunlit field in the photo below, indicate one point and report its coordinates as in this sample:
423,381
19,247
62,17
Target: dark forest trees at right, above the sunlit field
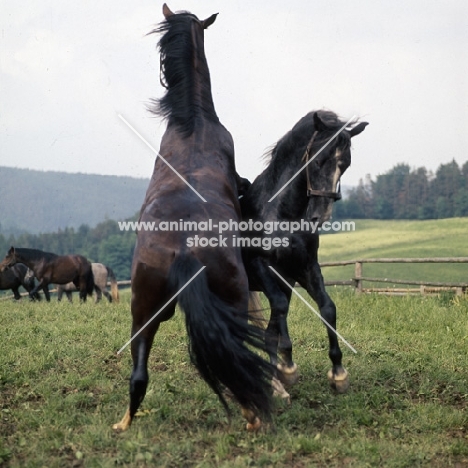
405,193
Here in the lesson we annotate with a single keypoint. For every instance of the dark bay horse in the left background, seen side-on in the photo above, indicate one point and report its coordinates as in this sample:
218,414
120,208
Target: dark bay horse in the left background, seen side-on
51,268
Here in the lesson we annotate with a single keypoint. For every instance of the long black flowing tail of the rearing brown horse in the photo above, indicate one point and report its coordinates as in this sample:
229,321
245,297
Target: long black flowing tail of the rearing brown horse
218,336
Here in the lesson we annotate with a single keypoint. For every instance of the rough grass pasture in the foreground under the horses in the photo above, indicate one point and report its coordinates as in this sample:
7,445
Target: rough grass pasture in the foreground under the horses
62,386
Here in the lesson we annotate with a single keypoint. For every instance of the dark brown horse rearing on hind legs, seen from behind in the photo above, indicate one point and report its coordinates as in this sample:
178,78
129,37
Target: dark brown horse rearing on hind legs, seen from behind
215,303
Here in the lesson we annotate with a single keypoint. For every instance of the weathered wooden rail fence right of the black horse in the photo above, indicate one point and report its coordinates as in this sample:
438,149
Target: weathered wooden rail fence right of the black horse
424,287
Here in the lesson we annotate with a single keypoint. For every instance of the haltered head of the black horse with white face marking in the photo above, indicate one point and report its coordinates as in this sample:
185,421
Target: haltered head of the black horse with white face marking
327,156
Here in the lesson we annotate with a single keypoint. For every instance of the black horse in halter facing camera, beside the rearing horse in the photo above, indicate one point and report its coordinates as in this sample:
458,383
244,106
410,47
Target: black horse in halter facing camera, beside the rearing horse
309,197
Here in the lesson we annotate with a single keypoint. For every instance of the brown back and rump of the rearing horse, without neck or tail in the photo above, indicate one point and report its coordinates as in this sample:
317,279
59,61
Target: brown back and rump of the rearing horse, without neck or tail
206,161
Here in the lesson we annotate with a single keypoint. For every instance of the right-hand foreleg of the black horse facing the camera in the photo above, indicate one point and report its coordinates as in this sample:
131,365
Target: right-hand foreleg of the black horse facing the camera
338,375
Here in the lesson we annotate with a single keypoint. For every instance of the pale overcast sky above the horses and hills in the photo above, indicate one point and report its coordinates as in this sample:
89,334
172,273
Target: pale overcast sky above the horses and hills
68,68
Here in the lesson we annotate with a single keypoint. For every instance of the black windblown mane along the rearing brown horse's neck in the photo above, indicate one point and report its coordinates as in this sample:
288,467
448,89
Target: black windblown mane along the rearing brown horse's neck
177,48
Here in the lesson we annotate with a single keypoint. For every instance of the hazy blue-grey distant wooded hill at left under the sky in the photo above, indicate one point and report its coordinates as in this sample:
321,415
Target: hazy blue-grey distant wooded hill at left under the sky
36,201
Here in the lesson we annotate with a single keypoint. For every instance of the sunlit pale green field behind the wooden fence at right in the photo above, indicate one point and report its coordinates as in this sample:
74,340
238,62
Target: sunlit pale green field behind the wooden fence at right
403,239
